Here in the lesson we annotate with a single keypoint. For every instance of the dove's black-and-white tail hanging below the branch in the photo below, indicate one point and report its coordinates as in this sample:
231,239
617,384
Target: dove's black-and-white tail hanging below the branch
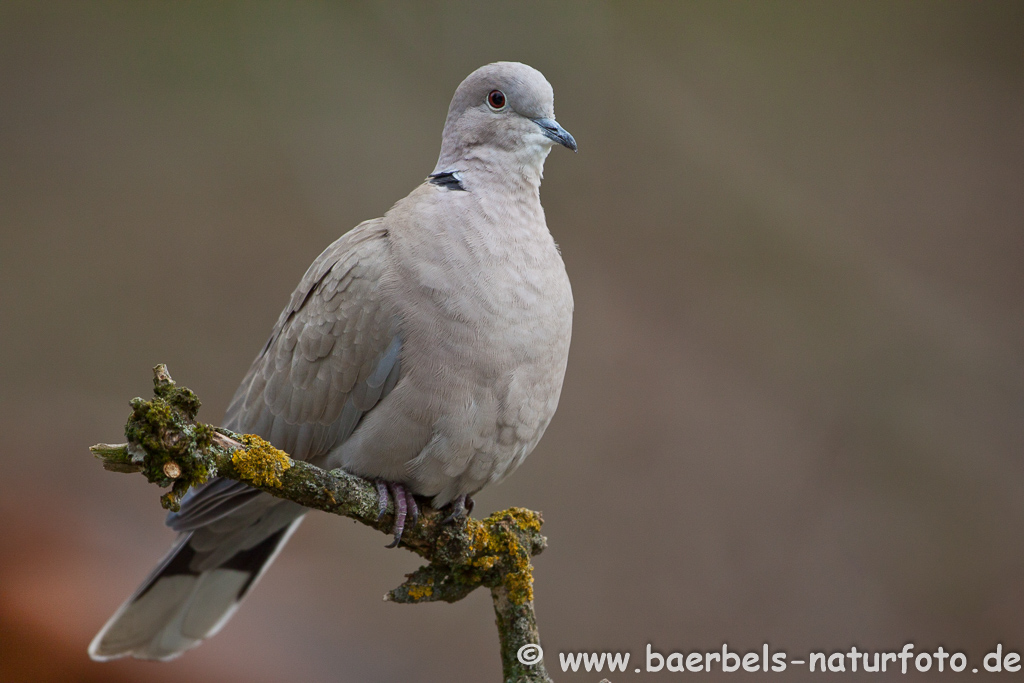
180,606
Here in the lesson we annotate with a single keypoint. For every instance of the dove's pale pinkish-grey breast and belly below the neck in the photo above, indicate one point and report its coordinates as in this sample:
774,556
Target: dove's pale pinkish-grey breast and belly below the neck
485,312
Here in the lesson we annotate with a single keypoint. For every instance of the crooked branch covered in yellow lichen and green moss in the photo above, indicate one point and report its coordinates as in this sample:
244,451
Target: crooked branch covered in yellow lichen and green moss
173,450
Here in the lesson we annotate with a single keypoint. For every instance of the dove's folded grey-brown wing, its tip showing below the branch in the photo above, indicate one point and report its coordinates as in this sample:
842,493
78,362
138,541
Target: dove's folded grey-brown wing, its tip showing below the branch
332,357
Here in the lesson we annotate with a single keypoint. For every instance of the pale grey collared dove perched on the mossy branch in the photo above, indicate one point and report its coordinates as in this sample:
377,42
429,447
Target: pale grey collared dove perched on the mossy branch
424,351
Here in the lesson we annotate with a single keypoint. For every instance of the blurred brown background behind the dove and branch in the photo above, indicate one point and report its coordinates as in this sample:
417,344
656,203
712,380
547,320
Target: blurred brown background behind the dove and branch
795,405
